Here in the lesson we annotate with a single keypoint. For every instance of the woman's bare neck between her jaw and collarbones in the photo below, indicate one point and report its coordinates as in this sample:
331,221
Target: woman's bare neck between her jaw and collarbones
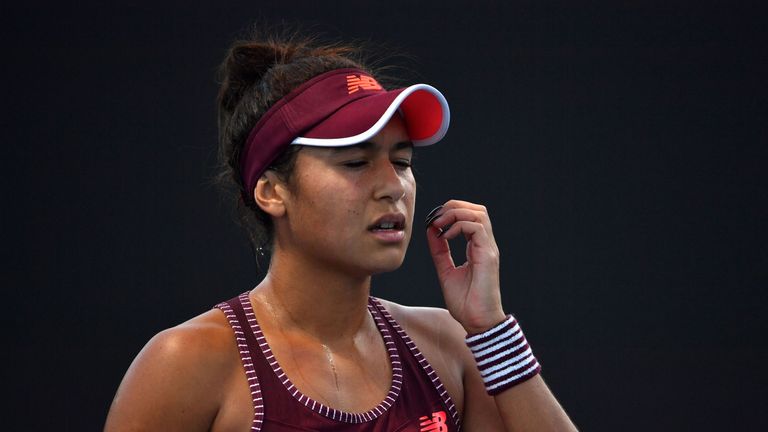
329,304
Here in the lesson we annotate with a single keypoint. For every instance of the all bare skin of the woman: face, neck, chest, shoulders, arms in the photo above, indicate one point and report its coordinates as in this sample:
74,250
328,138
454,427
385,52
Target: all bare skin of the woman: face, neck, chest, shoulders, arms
312,306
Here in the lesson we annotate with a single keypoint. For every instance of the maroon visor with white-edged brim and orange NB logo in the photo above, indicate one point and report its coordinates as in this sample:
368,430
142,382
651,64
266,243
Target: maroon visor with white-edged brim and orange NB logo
340,108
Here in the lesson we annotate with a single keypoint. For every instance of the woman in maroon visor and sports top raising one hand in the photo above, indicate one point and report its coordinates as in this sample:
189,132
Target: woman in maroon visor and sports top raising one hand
321,155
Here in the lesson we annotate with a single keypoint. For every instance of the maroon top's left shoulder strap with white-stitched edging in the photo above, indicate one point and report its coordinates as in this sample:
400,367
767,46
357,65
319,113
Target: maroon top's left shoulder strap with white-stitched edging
239,313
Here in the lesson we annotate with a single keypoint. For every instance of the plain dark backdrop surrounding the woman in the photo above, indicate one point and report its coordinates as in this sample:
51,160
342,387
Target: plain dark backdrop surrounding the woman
619,146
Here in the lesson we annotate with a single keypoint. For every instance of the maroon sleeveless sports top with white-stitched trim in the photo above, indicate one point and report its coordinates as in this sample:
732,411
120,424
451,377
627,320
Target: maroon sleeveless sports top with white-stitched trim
417,400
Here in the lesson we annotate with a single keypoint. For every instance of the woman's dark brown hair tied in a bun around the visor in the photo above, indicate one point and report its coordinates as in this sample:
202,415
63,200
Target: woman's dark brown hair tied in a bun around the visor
255,74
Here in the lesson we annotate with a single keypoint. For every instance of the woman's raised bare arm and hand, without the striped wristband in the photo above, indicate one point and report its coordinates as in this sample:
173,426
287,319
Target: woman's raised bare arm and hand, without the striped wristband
472,296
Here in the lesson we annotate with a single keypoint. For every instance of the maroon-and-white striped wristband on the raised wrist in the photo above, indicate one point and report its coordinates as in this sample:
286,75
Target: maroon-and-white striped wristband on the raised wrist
503,356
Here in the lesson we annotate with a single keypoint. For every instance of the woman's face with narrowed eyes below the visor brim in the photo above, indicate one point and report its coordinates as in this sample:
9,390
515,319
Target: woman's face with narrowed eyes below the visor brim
352,207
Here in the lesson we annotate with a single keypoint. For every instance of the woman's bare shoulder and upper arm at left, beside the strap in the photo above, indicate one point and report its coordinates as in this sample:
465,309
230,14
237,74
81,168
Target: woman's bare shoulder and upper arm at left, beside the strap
176,381
